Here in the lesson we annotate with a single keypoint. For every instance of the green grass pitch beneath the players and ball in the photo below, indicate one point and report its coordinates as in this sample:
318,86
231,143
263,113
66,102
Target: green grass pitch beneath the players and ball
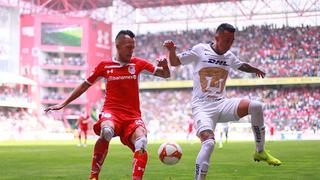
64,160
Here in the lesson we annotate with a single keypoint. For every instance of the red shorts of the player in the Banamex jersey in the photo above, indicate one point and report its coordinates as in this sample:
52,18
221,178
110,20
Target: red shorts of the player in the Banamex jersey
122,128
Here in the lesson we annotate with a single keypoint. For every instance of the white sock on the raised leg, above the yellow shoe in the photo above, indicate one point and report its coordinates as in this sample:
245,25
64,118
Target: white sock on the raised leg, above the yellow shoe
257,122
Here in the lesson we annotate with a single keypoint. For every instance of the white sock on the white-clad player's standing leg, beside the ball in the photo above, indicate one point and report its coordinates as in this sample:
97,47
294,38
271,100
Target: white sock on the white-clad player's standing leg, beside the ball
203,159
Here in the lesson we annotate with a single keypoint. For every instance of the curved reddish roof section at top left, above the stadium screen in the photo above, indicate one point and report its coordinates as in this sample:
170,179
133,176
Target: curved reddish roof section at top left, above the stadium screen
70,5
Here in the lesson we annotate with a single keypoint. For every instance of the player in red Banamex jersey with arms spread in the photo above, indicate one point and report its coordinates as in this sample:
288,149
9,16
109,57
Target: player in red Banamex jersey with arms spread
121,114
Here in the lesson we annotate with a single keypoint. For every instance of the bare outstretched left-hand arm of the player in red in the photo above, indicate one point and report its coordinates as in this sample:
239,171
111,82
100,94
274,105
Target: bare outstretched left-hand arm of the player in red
74,95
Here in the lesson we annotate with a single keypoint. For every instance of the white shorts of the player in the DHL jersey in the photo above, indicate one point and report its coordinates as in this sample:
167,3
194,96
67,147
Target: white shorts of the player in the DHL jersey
207,114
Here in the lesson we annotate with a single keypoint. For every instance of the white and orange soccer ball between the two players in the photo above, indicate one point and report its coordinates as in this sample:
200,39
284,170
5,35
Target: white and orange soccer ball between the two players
169,153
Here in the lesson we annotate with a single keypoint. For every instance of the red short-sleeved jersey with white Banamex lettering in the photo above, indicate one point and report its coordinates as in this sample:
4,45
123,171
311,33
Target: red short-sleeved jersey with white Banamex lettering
122,89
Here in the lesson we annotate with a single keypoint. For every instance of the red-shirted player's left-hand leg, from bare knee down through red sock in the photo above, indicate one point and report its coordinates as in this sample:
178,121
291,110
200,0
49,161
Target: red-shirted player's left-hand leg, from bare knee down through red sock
101,147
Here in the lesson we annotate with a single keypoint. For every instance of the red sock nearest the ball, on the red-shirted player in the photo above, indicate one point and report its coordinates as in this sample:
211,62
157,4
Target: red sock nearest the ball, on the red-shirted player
140,159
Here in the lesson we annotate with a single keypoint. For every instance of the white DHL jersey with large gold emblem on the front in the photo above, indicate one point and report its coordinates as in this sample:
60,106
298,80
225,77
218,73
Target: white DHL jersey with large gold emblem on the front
210,71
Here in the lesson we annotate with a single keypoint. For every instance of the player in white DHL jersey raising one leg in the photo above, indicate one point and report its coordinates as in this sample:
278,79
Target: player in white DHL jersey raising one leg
212,63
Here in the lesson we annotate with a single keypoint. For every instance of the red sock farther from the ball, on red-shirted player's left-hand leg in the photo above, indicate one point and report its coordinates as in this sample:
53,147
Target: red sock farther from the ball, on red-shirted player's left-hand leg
99,154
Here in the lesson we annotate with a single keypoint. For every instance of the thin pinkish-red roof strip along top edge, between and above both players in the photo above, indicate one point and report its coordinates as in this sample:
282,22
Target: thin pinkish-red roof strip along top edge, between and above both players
160,3
